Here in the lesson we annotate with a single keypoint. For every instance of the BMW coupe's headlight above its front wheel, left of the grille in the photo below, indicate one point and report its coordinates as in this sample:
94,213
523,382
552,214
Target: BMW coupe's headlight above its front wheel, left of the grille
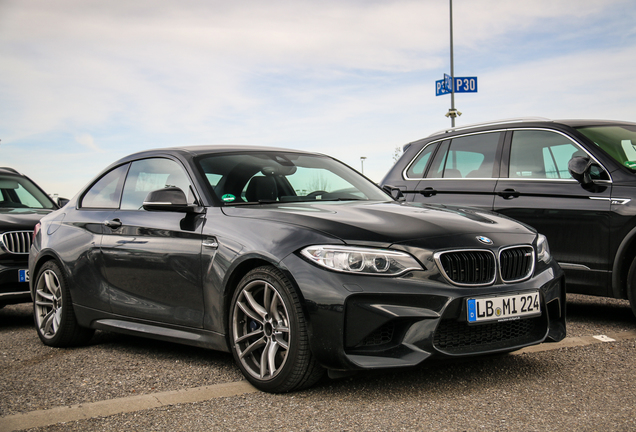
361,260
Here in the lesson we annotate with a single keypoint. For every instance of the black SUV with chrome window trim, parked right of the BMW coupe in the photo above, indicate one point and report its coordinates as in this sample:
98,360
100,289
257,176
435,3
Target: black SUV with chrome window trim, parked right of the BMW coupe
572,180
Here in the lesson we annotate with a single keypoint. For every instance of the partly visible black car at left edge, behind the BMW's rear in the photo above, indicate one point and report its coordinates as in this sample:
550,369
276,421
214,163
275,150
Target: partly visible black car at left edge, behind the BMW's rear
22,205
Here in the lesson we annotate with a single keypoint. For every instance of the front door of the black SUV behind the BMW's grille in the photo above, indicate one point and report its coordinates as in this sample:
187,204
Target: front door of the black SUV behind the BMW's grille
537,189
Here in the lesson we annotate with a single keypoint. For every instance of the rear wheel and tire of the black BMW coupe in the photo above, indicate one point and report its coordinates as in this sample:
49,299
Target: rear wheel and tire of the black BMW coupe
53,311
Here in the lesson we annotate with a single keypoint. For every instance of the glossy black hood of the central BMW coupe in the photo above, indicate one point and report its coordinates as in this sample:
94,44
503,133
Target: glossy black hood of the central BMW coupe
392,222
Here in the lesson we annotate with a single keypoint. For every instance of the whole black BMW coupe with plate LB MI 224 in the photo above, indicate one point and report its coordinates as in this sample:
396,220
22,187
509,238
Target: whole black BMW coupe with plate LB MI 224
292,261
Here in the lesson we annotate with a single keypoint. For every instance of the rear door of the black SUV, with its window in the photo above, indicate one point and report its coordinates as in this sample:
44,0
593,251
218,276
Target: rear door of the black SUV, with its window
463,171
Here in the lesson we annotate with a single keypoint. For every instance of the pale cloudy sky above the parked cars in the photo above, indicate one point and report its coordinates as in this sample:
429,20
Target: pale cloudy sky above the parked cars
84,83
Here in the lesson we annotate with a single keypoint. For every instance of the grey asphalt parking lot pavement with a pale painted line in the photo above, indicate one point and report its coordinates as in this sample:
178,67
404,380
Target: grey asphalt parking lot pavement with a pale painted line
587,382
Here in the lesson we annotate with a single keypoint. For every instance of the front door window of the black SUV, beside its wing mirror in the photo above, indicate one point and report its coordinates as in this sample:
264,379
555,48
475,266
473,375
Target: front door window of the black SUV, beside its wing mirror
544,155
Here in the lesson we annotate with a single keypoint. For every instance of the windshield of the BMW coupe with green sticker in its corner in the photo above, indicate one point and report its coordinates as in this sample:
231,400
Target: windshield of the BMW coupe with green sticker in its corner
267,177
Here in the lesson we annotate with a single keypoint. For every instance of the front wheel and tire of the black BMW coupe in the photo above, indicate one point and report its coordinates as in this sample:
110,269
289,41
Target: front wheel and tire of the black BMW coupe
268,333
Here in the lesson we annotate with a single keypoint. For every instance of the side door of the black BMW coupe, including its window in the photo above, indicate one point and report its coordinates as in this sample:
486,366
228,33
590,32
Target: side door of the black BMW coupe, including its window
152,259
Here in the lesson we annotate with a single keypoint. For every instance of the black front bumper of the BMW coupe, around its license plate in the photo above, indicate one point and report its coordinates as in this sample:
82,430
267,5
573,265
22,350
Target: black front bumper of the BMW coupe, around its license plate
362,322
